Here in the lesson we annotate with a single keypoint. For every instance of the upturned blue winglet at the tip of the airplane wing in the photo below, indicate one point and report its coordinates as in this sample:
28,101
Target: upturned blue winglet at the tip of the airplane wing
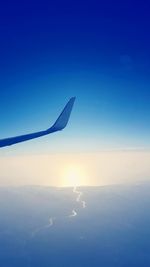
63,119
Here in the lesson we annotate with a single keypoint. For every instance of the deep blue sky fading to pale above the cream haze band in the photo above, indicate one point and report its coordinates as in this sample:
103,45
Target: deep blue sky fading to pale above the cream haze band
98,52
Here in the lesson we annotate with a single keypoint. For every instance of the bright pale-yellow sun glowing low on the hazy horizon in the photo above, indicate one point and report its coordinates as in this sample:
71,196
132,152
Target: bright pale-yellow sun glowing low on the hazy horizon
73,175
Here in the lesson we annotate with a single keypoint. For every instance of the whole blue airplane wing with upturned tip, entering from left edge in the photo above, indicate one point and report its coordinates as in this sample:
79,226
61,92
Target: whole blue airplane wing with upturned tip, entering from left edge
59,125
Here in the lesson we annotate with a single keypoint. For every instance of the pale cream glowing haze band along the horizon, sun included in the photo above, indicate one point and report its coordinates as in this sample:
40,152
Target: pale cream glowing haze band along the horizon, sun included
75,169
